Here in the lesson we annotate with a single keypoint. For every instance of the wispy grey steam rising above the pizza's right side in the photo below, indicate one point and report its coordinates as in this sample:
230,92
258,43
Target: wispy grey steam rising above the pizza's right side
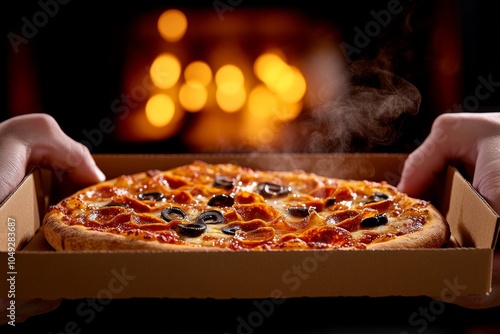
367,113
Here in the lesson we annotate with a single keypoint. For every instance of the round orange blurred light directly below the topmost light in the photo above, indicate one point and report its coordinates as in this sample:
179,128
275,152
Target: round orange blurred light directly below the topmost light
165,70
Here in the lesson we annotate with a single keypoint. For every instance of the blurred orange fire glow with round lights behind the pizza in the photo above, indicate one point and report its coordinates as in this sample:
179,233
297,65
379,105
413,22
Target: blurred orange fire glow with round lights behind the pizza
220,85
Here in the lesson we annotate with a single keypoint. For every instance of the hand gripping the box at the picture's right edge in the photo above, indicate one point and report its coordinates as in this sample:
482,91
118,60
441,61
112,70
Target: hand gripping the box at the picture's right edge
471,140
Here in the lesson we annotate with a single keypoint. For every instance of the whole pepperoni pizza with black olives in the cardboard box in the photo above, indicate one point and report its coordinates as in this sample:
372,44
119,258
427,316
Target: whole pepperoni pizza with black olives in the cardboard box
201,206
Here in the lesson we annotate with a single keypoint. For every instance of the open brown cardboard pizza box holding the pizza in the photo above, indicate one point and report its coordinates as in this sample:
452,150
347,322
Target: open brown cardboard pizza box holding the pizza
464,267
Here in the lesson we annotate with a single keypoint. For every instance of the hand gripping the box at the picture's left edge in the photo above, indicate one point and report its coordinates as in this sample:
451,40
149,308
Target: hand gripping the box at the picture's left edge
27,141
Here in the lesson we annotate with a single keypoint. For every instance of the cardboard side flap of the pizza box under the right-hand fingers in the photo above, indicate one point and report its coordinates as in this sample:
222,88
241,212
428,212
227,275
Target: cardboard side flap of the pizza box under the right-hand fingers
467,205
